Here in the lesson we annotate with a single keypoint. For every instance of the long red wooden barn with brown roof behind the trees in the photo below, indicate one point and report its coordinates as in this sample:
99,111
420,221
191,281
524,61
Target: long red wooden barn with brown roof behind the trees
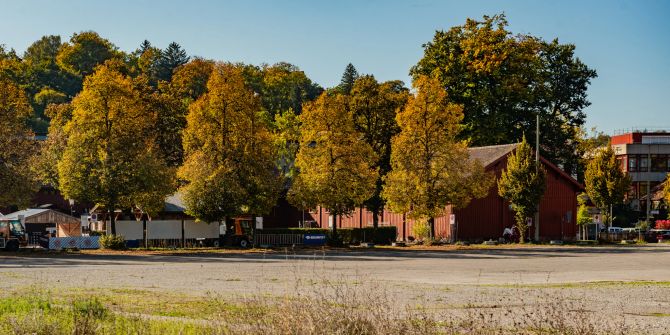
485,218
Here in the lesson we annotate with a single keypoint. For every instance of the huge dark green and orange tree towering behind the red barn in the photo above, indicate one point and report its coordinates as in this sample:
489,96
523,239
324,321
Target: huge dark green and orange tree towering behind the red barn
503,81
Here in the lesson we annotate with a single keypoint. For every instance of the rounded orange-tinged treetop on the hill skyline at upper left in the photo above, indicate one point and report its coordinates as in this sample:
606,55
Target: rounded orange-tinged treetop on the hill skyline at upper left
84,52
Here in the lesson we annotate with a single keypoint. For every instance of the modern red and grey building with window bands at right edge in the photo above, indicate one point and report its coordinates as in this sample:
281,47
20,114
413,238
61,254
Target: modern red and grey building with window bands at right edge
645,156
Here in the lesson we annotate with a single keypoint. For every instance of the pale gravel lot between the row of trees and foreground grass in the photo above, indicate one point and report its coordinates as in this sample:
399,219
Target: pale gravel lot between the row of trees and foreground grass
610,283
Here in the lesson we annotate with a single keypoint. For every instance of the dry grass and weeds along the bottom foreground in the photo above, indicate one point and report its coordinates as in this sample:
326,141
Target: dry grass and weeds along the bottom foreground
342,306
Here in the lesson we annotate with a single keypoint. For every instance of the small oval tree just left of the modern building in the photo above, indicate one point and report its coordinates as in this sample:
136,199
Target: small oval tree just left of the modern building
606,183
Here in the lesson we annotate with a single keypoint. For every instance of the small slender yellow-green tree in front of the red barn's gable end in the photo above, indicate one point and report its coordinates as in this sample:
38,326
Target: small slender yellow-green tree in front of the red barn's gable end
522,184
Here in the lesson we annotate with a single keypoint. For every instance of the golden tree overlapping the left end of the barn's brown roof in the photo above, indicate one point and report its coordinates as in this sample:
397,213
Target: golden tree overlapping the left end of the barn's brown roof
430,167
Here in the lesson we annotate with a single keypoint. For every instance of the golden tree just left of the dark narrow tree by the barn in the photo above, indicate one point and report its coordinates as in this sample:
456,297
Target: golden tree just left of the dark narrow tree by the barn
335,166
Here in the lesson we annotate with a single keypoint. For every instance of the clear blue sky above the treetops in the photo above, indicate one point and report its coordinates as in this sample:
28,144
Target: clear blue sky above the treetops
627,42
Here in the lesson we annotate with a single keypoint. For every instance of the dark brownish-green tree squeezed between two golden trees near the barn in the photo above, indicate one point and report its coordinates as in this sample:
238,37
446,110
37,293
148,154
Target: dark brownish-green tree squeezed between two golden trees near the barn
374,106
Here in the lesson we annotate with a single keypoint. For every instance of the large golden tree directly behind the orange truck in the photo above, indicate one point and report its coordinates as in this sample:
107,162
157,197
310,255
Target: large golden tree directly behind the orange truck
229,165
